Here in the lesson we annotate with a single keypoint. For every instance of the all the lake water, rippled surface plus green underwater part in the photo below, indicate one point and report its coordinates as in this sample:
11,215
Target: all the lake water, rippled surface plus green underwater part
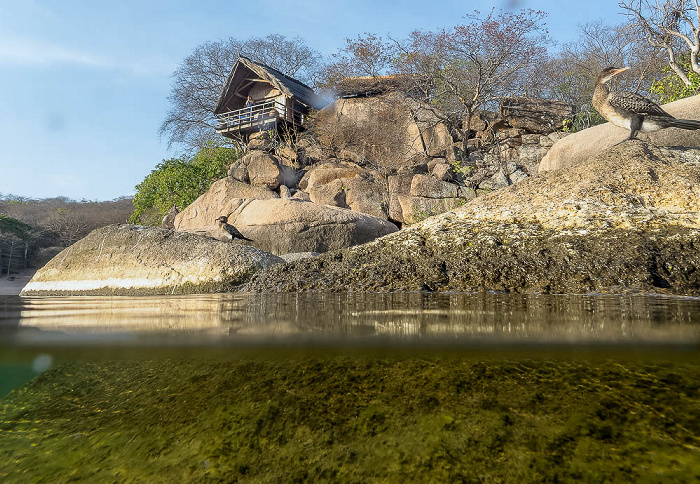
305,387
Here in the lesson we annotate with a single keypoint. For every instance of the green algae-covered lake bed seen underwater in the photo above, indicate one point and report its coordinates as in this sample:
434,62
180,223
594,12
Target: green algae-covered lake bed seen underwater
355,418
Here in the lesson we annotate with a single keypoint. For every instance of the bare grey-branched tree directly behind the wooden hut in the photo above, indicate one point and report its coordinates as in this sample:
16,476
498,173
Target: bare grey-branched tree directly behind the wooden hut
198,81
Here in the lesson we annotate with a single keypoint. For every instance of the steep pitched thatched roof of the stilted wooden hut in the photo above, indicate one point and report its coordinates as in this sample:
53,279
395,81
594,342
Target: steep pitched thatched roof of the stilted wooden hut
240,78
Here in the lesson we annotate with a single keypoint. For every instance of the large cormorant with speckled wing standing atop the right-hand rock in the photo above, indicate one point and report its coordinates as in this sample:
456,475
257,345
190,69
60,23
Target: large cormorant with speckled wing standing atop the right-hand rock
631,111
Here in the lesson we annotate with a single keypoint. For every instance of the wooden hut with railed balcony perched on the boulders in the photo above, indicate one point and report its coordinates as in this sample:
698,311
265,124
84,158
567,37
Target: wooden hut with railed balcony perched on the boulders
276,99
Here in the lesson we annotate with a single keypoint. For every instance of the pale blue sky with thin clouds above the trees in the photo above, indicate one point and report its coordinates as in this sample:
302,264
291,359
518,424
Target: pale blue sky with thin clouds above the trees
84,84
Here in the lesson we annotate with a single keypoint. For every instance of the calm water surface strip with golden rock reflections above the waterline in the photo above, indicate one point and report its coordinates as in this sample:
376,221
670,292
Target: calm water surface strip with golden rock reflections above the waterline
412,317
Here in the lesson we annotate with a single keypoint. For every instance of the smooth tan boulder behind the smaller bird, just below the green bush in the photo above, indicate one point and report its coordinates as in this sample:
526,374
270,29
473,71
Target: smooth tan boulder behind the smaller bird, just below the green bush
221,198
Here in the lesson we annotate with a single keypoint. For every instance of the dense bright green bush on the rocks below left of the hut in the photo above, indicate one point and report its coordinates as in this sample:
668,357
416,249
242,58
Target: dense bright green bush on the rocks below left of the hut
178,182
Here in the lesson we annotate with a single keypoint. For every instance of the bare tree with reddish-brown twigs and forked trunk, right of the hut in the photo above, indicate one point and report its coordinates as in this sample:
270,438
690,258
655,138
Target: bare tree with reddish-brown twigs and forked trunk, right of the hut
475,64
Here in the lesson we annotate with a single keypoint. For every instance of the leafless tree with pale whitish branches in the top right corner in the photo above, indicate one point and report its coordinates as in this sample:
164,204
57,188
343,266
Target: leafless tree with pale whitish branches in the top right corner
670,25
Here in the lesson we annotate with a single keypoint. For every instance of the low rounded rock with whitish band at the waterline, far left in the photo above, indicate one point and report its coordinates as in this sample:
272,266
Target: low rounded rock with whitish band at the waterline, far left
135,260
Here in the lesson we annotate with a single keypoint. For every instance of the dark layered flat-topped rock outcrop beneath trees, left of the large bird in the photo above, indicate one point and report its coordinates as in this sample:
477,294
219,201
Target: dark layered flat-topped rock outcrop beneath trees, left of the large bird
535,115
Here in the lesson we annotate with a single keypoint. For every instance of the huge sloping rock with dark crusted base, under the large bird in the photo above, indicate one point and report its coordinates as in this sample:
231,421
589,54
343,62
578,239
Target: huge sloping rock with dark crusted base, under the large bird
626,219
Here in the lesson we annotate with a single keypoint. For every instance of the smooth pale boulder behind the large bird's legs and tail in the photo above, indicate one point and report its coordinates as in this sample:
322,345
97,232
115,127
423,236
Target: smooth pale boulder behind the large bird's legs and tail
579,146
